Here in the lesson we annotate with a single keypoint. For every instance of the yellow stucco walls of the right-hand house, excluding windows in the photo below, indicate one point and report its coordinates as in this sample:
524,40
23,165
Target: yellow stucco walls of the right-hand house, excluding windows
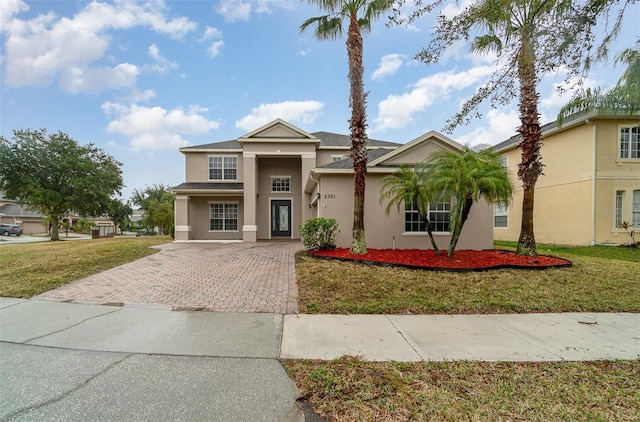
566,211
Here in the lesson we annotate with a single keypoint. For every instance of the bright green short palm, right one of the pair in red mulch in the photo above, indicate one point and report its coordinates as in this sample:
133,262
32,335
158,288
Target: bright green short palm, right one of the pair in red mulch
467,176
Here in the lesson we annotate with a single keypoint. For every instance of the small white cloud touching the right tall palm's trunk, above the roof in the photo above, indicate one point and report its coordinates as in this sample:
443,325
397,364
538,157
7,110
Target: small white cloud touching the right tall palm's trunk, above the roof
497,126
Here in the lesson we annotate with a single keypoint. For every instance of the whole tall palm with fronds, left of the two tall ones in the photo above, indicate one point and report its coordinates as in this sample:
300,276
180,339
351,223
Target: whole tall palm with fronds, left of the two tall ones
360,14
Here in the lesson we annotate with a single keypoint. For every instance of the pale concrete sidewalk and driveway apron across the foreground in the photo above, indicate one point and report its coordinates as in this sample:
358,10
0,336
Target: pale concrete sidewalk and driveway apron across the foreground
77,362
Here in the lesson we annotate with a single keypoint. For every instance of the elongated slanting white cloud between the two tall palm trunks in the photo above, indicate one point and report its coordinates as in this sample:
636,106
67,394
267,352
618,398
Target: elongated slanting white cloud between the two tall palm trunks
397,111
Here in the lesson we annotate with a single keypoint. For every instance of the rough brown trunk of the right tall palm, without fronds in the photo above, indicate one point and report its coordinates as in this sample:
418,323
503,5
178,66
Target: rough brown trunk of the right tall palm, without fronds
531,165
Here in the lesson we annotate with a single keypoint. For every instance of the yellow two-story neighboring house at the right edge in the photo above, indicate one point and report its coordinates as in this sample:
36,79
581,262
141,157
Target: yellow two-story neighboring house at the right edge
591,182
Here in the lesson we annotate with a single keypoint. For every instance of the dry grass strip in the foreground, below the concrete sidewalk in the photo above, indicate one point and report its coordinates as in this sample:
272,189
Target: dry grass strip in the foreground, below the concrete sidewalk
352,390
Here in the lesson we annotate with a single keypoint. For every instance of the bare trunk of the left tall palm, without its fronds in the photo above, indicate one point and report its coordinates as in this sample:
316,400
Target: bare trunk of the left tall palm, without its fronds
357,125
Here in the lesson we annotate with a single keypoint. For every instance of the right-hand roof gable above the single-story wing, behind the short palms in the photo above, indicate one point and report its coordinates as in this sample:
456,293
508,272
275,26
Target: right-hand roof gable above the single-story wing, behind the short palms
417,150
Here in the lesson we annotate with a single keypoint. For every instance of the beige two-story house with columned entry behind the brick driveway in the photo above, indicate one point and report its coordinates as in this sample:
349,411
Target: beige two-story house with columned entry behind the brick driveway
267,183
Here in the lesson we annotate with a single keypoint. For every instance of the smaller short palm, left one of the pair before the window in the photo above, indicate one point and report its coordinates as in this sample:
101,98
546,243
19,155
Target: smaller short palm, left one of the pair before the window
409,186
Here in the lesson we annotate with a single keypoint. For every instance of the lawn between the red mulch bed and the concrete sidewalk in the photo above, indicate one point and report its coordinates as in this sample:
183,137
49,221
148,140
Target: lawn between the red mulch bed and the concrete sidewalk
590,285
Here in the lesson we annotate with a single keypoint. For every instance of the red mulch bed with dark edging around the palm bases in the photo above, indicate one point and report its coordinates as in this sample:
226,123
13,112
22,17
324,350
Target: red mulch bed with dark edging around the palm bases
462,260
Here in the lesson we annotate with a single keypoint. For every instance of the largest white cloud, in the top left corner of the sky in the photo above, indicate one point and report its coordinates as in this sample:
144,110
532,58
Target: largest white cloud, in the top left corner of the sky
46,49
